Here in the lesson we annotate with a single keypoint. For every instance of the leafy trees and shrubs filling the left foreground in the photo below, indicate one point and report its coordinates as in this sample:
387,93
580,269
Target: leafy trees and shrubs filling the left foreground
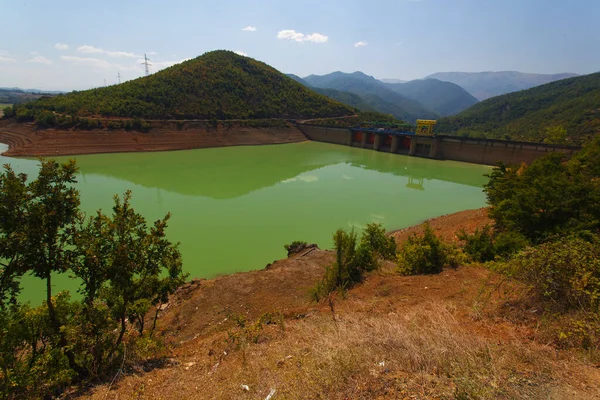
126,268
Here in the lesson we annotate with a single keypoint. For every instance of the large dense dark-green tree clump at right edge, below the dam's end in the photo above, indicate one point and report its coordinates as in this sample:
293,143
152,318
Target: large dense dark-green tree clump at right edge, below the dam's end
548,197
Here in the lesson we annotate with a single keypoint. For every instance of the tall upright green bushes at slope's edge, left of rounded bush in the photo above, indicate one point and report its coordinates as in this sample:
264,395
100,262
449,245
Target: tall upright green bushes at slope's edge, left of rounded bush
353,259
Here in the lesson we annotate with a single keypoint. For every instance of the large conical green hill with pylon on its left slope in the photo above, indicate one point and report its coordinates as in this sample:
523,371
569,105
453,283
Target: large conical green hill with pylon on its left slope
219,84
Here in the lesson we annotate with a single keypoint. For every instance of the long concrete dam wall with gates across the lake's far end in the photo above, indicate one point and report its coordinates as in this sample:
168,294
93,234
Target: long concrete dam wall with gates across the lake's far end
438,147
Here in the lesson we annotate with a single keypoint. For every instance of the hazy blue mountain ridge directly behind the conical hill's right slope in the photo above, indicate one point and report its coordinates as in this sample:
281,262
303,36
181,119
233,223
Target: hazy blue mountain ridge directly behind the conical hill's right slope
374,93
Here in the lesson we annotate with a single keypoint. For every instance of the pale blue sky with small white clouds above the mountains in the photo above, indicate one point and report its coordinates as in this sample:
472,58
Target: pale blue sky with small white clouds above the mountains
77,44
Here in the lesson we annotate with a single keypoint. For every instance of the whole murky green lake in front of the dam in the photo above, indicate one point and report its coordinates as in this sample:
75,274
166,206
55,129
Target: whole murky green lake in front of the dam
234,208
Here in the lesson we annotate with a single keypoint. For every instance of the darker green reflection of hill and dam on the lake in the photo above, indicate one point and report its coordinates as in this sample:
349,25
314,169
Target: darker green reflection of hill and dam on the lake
228,173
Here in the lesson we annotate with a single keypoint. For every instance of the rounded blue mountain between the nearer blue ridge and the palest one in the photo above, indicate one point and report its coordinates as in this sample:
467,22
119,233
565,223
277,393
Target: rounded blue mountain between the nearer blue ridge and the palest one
445,98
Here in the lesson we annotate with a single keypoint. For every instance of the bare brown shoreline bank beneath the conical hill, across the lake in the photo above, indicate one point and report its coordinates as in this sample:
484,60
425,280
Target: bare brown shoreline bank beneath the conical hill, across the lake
25,140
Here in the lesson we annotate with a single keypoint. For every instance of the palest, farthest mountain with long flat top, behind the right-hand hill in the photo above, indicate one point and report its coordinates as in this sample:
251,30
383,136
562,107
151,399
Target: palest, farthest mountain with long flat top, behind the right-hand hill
484,85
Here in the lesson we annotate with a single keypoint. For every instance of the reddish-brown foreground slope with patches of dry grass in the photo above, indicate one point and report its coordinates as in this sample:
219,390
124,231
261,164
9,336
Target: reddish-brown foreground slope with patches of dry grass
415,337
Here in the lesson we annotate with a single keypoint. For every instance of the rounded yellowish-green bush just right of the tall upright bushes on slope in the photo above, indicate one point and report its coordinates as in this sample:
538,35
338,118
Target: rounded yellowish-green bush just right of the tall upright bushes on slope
426,254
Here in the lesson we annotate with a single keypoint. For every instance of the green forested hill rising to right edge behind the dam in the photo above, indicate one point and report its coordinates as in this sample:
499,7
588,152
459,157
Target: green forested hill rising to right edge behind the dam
565,111
